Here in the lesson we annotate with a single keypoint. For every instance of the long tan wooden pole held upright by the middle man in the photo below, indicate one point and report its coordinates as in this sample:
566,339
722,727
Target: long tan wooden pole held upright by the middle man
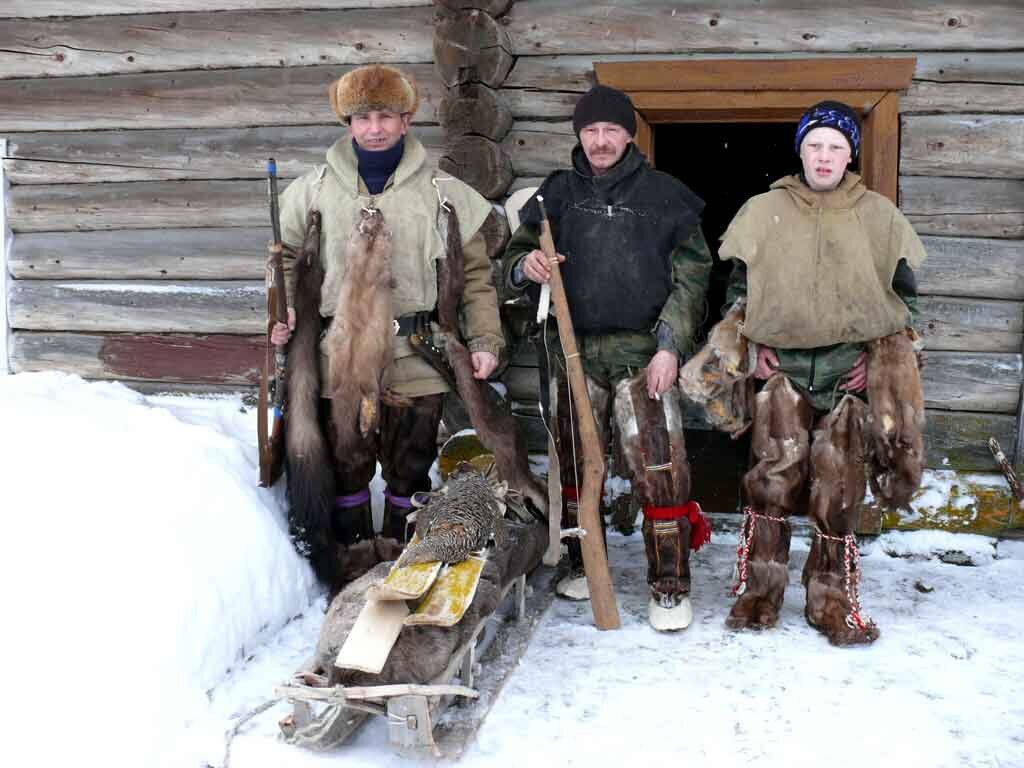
595,561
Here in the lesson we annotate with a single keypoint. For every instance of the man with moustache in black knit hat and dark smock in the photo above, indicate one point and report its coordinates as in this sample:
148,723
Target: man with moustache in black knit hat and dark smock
636,271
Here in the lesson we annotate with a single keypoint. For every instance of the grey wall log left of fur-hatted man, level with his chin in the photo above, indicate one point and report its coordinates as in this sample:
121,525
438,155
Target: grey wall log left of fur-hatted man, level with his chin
55,158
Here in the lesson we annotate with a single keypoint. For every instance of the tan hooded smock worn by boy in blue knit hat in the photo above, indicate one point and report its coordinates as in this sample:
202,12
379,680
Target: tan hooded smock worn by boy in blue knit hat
821,265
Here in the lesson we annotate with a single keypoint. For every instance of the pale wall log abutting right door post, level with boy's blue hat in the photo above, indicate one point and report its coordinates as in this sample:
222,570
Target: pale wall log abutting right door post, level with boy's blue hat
987,146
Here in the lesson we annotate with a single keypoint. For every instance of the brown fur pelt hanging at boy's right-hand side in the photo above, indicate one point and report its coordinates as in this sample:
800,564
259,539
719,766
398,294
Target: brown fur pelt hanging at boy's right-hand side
897,422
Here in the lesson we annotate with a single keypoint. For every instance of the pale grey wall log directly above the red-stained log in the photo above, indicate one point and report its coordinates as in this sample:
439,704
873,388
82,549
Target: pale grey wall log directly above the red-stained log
140,307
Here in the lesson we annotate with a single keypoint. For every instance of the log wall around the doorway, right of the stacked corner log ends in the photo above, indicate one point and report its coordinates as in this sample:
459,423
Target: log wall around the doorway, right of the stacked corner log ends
962,158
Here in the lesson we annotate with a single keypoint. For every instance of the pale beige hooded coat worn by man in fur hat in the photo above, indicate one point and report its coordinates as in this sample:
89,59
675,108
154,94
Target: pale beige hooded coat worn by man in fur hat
410,203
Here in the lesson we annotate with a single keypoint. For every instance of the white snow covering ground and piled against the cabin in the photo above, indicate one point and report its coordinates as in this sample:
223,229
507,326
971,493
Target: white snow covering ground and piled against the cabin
155,598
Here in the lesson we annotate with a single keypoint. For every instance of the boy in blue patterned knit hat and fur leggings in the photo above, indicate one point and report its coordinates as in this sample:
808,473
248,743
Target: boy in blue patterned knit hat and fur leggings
826,269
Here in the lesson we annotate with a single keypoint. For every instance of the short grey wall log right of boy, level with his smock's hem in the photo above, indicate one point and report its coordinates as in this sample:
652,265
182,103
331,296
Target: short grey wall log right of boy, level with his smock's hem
971,325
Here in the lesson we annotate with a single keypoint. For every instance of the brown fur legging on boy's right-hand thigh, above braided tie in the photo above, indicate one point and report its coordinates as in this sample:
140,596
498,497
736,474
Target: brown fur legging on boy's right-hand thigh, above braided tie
838,467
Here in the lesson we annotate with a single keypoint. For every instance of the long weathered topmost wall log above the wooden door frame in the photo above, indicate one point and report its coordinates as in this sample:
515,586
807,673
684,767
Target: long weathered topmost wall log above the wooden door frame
547,27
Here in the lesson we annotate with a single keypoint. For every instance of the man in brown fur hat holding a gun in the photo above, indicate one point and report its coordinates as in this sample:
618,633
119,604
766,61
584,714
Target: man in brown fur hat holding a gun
378,176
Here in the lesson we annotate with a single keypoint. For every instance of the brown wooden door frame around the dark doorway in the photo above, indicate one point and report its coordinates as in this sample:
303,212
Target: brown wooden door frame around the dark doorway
746,91
